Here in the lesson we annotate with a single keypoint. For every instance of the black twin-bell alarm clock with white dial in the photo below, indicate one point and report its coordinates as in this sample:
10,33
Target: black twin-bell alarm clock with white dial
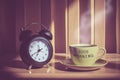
36,49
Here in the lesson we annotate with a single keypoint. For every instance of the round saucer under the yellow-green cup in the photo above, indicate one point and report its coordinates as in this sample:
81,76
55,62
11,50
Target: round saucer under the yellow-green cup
98,64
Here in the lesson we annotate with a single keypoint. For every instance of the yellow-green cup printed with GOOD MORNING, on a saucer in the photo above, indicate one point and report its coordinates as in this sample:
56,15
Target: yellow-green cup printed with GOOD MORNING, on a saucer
86,54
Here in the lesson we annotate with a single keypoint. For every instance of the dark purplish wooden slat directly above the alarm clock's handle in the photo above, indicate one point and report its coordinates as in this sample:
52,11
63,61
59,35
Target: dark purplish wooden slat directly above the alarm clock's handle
32,14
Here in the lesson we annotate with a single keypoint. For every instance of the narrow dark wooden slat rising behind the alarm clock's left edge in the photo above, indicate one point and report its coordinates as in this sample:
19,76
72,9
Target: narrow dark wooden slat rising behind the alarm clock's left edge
19,20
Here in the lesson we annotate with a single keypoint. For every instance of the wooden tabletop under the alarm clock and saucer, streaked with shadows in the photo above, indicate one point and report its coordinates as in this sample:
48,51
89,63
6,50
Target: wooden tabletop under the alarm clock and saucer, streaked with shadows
16,69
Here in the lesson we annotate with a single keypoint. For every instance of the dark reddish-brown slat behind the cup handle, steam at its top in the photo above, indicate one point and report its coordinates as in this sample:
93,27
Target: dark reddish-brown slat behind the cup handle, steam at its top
110,21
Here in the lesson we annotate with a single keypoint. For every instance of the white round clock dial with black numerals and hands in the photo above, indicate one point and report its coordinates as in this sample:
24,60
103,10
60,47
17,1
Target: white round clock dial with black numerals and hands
38,51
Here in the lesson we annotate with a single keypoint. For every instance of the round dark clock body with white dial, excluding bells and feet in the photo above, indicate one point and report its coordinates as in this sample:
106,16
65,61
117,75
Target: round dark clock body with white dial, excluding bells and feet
37,51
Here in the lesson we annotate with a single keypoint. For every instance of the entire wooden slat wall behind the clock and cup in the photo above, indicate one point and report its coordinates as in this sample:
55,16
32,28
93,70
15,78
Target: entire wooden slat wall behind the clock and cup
65,20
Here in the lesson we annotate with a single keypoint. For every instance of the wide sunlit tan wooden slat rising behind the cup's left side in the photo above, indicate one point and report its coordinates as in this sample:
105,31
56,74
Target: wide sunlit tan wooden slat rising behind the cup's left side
73,13
